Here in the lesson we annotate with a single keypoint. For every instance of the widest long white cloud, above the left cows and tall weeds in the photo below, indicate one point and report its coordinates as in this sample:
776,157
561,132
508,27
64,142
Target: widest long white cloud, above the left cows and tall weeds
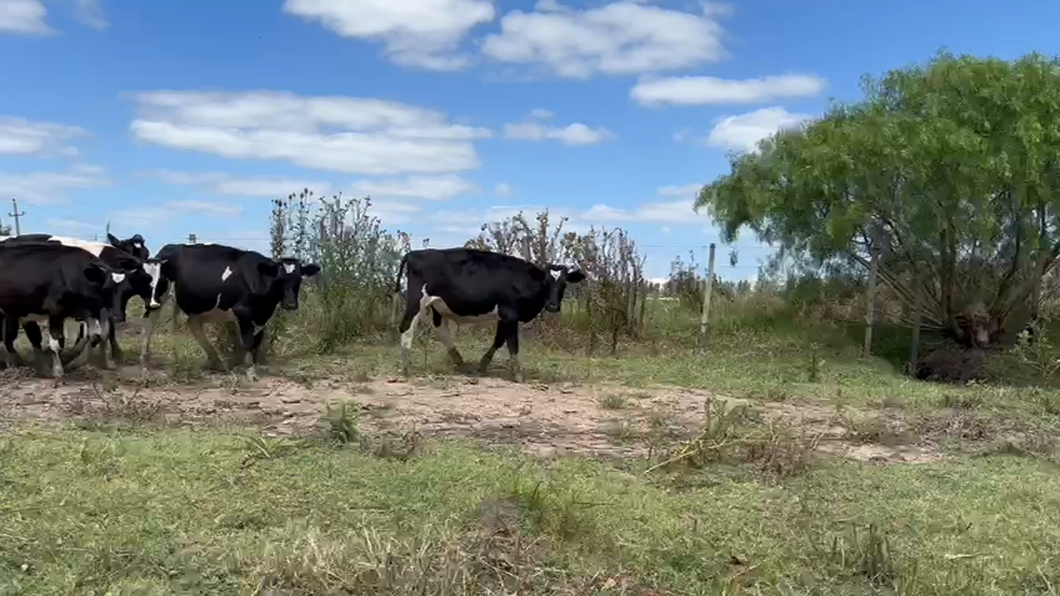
341,134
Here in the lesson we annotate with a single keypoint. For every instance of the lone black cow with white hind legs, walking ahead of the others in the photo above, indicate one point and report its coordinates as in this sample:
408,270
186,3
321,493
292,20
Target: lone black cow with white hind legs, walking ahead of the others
467,286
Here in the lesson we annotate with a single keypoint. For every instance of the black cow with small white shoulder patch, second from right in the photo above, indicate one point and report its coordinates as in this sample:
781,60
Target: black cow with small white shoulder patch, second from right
216,283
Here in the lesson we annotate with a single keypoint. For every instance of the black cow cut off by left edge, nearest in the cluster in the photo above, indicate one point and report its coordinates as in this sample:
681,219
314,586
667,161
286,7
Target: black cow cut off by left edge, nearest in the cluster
49,282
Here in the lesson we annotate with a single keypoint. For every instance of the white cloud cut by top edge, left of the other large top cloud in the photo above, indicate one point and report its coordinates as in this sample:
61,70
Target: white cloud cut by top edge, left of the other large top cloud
419,33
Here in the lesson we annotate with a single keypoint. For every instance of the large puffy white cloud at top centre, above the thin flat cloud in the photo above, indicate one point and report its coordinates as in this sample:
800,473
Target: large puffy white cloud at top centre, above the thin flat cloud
623,38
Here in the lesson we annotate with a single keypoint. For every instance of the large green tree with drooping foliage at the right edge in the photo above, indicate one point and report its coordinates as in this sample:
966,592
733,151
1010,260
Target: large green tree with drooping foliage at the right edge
949,171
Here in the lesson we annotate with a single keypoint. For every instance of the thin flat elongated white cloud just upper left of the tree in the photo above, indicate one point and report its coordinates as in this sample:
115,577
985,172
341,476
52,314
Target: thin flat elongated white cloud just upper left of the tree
702,91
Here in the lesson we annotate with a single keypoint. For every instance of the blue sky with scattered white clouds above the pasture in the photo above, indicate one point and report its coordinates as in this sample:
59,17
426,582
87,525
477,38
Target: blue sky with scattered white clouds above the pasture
172,118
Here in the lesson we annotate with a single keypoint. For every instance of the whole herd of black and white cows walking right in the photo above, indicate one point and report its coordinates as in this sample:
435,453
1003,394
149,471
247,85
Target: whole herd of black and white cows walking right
46,278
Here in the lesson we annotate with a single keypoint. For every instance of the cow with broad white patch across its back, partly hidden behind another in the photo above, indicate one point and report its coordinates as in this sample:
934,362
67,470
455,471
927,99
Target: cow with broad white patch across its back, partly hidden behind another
134,276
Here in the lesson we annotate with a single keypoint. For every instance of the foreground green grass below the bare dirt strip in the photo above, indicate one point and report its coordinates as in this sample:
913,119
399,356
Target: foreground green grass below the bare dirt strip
210,513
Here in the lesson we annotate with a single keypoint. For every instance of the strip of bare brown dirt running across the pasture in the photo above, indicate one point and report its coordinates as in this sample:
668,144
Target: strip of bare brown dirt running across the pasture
543,419
